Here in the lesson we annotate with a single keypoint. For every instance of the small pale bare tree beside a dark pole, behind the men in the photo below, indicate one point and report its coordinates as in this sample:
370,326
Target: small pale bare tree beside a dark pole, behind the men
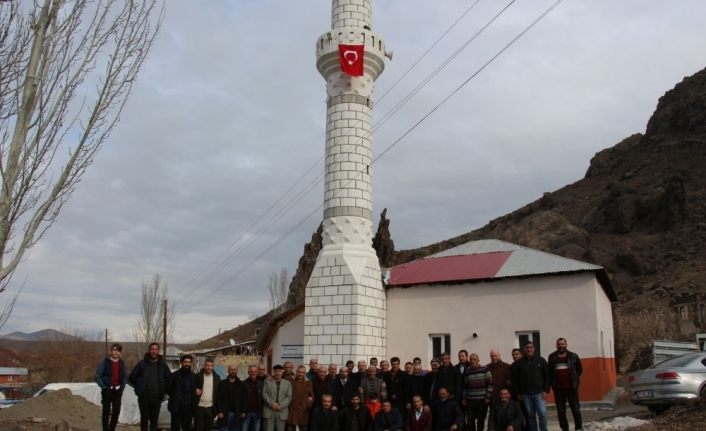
150,326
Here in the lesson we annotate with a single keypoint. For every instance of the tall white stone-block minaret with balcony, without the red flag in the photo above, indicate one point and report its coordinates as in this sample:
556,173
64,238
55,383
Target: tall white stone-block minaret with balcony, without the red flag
345,300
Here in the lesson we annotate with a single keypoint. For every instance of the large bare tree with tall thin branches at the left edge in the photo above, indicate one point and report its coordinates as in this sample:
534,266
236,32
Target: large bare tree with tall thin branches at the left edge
67,68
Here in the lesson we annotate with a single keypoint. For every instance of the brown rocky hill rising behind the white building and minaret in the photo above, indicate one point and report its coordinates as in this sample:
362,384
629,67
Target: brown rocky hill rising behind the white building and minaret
639,211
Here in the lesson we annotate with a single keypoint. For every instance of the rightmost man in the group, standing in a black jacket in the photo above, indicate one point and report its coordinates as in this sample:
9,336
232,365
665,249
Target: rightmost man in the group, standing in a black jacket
564,374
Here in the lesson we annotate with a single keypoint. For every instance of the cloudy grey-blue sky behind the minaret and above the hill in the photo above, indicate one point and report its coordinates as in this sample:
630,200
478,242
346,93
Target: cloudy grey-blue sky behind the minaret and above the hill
227,120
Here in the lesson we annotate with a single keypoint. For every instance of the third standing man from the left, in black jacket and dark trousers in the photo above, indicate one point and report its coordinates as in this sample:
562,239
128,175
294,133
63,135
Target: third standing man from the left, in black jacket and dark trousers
182,395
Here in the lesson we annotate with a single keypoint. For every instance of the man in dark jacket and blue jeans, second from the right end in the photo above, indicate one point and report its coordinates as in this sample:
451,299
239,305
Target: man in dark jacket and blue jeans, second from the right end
531,382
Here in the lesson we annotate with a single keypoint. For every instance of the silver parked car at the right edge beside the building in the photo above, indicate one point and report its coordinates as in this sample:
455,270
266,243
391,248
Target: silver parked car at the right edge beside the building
675,380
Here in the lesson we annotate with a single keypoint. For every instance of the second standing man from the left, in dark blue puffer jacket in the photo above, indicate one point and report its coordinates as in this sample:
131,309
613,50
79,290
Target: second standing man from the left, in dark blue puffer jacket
149,378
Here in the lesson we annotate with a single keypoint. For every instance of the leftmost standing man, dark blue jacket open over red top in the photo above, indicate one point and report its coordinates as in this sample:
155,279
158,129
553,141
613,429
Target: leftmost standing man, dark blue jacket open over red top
111,376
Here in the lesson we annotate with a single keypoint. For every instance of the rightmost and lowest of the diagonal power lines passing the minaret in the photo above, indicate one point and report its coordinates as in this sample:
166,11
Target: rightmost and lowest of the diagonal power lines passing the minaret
393,144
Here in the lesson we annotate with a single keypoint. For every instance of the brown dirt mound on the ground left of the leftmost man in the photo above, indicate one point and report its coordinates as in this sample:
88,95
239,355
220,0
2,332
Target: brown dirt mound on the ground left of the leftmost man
55,410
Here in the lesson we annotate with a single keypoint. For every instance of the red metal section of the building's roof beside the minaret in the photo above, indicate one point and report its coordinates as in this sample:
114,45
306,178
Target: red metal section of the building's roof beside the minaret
449,268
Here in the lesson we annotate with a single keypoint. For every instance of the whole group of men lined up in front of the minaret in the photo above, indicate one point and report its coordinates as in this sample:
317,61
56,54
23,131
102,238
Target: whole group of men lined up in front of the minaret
376,397
